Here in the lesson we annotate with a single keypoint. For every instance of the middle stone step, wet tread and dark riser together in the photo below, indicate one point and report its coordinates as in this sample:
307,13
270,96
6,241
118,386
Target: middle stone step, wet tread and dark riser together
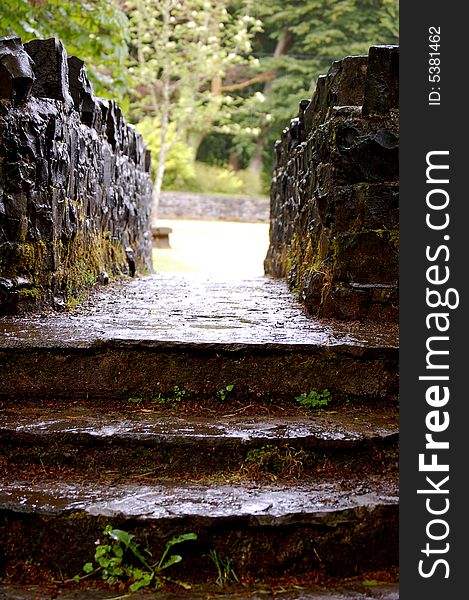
82,439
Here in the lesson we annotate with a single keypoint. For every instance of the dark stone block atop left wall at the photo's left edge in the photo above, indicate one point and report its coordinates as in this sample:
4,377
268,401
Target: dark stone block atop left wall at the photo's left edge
16,70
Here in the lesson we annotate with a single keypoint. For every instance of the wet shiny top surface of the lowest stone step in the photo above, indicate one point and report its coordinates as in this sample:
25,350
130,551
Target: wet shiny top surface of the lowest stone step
267,504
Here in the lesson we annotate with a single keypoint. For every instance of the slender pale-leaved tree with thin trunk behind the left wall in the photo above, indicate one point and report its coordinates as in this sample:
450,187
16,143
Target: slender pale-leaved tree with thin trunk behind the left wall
181,51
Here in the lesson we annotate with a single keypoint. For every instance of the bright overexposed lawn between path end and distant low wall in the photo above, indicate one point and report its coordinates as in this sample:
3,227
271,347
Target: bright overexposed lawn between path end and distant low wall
214,247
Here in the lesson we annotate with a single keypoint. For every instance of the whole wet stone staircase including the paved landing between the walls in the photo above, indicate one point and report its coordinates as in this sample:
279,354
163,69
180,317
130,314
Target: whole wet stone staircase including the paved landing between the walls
166,405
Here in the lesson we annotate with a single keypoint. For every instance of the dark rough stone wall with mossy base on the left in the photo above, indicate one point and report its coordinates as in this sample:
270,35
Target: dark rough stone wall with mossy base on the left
75,181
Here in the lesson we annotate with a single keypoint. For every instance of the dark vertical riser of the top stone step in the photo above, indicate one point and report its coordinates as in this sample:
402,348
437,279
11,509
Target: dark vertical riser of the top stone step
119,369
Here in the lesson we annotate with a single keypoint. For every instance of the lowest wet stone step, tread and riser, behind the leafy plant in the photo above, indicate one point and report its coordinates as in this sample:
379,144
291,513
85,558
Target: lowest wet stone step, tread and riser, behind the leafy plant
269,530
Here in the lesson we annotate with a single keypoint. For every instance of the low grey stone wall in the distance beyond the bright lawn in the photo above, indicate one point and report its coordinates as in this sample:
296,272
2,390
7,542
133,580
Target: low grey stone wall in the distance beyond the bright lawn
184,205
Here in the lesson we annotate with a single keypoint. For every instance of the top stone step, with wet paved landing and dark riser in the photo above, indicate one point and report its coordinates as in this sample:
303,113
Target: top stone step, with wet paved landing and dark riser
148,335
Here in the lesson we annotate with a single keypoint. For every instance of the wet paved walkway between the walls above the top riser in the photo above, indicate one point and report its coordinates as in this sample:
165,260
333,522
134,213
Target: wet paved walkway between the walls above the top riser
192,308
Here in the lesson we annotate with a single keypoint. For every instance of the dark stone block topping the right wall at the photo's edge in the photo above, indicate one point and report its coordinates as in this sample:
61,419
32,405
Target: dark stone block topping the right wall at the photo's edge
382,80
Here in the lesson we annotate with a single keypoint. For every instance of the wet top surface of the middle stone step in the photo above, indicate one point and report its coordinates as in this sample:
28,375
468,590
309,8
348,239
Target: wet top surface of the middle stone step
321,430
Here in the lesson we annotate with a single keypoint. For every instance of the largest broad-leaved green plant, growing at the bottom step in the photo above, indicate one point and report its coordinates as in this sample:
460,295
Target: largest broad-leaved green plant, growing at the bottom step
119,559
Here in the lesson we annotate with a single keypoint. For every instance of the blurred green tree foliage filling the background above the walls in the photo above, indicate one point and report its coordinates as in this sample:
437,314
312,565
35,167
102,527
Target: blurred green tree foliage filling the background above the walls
213,79
